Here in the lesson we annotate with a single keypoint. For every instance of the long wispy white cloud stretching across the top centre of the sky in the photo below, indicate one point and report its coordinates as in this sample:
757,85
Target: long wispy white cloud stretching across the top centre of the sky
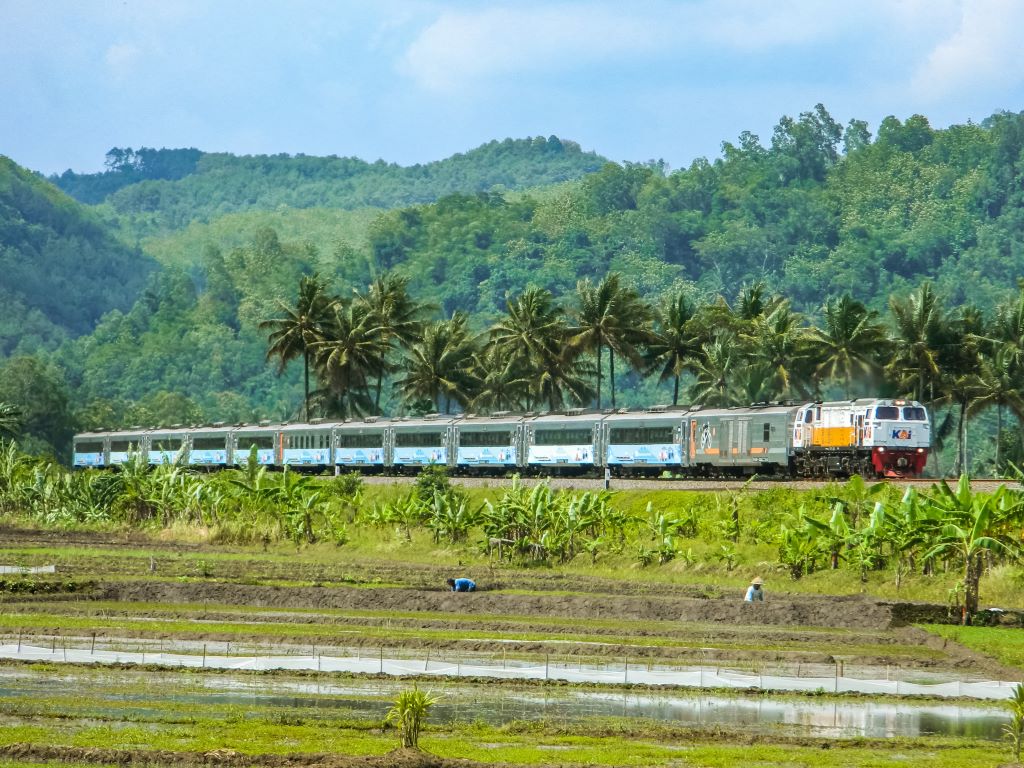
463,47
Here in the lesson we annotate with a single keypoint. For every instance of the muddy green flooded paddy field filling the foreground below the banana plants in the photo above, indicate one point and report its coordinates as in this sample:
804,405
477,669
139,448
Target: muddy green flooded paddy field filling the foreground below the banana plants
156,602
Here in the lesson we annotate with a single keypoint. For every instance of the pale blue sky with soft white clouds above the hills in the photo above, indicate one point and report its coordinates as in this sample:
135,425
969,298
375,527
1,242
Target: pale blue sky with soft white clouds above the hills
413,81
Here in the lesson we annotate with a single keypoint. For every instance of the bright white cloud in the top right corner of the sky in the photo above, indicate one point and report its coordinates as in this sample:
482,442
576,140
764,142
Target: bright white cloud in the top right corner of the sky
983,54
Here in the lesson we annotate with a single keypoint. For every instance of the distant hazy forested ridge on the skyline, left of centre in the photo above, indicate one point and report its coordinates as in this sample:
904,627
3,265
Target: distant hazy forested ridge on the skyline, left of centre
169,189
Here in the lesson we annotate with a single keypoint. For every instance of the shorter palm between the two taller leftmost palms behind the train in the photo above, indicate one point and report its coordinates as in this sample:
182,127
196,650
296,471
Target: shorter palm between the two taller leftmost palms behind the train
353,349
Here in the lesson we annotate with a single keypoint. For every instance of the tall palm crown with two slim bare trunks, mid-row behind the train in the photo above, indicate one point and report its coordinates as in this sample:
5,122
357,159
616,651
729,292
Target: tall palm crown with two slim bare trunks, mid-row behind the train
612,316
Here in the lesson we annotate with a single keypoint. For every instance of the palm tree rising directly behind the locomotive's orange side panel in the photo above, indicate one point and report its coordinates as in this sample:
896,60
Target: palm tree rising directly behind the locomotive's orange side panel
851,344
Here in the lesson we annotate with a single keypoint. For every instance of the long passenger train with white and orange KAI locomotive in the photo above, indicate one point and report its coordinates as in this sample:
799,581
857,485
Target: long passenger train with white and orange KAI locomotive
868,437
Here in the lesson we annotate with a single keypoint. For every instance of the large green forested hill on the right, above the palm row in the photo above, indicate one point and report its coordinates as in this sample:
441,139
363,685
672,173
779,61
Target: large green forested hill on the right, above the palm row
818,210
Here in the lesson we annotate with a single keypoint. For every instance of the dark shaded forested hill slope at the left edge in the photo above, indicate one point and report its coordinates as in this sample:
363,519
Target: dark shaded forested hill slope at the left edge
61,270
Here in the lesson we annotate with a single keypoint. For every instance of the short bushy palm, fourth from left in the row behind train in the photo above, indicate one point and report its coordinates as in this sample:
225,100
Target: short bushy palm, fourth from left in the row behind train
438,367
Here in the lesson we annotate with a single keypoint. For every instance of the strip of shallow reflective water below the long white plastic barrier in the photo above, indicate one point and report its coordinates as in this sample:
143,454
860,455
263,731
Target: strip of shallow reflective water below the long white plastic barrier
498,705
